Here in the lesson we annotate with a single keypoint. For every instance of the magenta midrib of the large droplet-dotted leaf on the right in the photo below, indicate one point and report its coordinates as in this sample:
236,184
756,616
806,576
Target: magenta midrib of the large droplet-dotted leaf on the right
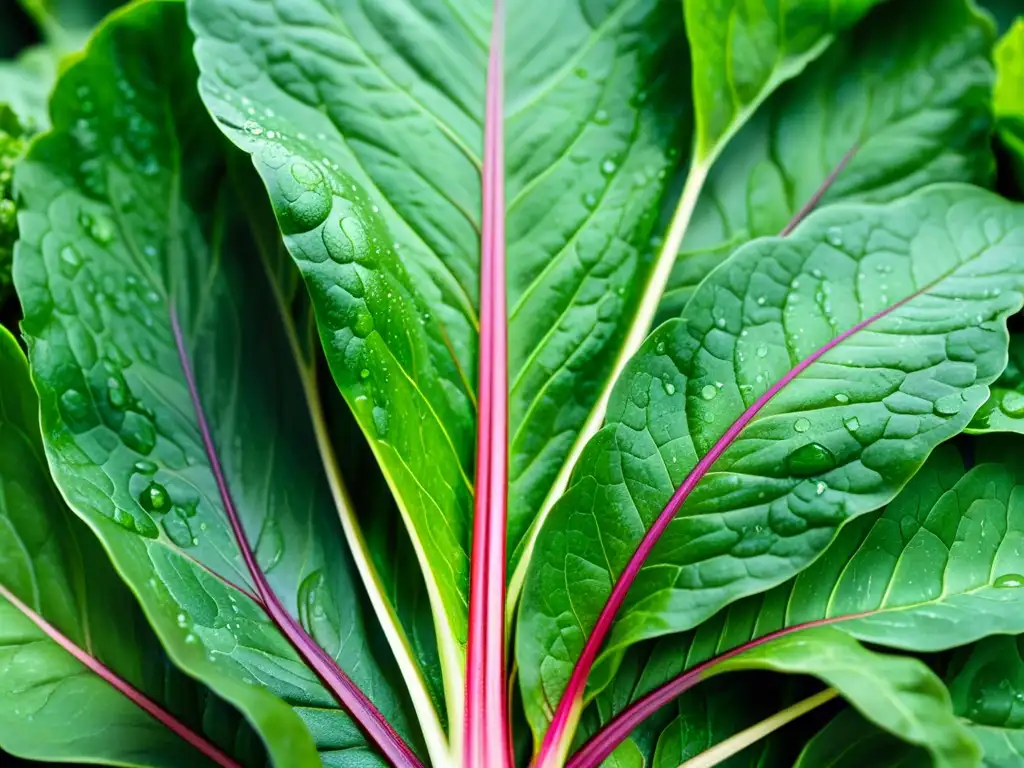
573,697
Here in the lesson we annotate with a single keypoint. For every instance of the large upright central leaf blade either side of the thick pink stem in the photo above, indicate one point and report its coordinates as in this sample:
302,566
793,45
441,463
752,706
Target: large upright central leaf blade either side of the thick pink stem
368,134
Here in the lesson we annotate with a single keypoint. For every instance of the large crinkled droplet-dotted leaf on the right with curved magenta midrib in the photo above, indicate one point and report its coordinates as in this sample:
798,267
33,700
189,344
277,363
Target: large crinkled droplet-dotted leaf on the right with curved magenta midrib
838,442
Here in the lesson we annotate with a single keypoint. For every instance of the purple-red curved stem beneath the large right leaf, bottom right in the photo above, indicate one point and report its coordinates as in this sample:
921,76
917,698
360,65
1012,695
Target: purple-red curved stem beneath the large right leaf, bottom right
603,744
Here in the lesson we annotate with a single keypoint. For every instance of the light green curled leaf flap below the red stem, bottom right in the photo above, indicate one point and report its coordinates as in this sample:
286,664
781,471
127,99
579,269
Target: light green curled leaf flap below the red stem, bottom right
898,694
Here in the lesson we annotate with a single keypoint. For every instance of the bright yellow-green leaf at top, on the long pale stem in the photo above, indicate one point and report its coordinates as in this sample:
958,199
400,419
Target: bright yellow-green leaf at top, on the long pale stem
744,50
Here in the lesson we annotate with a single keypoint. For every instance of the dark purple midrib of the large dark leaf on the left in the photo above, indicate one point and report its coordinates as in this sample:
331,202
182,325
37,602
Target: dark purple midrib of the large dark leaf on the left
348,694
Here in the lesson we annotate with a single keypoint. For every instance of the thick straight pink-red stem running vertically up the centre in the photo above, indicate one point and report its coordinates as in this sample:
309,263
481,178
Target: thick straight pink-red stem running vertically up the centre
487,739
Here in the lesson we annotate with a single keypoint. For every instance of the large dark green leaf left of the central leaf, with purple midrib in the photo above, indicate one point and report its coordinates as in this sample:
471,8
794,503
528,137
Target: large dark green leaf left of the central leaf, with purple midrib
130,211
